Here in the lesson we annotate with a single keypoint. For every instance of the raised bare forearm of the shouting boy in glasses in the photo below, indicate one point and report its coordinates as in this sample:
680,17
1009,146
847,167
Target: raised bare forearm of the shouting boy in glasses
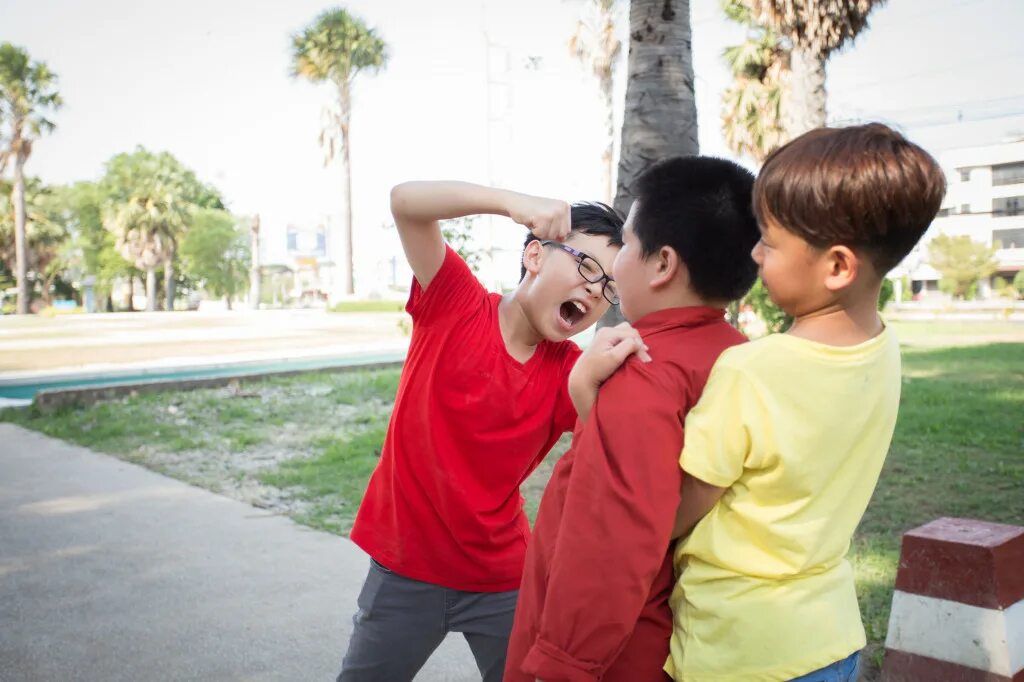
421,202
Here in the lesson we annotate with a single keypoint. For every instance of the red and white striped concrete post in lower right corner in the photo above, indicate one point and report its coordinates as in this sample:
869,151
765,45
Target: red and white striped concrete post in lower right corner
958,612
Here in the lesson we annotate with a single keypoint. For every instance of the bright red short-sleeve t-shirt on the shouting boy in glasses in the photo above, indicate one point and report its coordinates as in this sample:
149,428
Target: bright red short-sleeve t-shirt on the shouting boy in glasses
470,424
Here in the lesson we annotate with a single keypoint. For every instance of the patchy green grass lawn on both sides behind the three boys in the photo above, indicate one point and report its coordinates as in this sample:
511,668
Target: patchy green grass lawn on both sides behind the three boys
959,449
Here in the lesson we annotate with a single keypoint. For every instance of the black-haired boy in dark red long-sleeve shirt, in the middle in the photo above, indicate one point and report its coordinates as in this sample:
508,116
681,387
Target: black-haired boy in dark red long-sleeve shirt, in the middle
594,601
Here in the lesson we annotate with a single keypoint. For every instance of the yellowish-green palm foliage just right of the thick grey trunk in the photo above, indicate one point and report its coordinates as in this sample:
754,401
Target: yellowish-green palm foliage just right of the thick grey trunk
752,118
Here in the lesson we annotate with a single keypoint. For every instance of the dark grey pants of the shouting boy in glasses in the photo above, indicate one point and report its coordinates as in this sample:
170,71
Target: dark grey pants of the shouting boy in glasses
401,622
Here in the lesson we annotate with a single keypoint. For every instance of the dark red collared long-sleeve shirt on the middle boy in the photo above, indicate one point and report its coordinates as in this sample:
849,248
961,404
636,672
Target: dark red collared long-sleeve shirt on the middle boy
594,600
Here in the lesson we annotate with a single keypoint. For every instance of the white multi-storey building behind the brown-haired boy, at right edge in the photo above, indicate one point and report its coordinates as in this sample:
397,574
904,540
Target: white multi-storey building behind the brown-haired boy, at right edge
986,202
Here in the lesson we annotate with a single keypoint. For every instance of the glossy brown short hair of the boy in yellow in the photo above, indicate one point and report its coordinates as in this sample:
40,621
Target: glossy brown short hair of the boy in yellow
864,187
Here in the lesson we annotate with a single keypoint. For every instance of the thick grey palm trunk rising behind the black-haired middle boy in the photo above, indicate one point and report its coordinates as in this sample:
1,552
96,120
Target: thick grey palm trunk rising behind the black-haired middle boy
661,116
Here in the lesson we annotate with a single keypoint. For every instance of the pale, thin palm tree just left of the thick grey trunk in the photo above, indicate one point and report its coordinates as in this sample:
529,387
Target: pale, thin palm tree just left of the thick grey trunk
594,44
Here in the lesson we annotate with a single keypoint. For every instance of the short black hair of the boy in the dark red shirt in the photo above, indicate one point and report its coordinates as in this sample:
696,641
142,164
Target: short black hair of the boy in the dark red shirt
702,208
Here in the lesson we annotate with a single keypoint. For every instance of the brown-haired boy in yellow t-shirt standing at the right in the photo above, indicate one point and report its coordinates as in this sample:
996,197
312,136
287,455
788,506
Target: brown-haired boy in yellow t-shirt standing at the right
785,448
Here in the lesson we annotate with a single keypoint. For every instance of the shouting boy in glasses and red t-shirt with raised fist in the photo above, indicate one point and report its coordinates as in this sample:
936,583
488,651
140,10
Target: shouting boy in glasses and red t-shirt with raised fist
483,399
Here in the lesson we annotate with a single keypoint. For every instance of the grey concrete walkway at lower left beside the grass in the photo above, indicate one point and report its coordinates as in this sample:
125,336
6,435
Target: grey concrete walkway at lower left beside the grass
110,572
